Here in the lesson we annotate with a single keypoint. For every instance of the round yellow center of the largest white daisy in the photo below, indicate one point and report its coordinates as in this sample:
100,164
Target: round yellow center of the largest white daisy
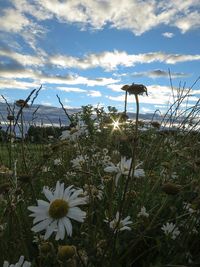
58,209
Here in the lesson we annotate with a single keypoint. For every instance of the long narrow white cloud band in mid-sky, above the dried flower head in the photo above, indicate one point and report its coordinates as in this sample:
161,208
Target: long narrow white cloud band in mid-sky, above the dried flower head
111,60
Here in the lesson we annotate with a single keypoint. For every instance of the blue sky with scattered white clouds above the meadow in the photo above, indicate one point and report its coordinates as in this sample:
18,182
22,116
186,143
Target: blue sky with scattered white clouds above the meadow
84,51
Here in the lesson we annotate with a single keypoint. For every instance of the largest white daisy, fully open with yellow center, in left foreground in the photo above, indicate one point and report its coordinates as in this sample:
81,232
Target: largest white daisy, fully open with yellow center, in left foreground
55,215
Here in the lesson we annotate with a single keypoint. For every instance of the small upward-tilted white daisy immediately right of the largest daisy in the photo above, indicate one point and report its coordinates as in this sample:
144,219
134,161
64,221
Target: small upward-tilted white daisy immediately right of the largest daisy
119,225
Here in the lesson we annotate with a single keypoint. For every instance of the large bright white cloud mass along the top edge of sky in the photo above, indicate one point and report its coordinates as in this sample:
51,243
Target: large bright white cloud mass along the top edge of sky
136,16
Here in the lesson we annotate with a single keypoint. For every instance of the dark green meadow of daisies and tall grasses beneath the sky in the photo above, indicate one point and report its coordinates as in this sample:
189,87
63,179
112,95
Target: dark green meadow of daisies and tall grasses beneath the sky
108,191
